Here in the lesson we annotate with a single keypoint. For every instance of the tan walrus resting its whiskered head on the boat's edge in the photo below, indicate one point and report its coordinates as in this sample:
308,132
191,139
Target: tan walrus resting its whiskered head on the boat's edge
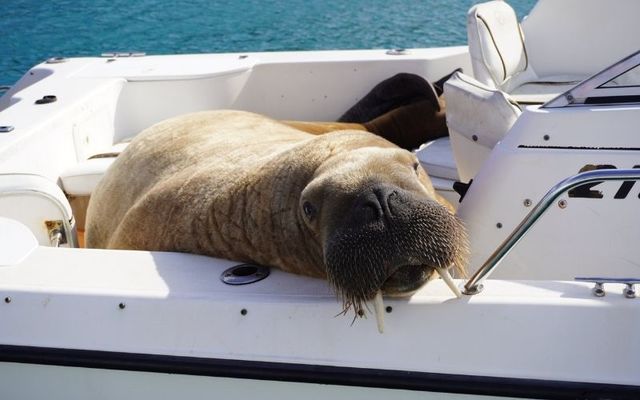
347,206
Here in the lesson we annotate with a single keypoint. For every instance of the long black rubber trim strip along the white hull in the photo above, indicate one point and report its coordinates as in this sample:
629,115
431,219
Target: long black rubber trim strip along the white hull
328,375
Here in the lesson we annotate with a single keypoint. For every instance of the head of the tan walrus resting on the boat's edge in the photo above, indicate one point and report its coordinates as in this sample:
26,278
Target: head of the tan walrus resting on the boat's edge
381,226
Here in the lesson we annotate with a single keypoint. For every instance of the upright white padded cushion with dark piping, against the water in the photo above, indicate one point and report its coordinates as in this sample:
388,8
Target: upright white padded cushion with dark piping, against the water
496,43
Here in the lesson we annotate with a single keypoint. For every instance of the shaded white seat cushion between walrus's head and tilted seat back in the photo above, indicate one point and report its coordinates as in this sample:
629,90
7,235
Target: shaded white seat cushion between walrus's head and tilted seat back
436,157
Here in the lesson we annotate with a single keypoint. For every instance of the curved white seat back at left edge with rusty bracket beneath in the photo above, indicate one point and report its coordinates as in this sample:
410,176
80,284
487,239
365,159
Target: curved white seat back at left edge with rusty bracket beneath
39,204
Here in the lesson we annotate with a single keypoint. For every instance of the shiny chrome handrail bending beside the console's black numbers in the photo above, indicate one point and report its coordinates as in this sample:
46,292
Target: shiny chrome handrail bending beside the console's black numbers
474,284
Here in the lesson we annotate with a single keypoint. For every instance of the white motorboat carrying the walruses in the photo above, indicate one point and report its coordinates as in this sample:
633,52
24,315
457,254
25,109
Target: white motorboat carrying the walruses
548,194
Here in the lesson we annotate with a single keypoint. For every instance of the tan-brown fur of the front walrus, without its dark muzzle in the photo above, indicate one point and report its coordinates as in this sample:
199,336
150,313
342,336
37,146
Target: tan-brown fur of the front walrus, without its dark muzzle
232,184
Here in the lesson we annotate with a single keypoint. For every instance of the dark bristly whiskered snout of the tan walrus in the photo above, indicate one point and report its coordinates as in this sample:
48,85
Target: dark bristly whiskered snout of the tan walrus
392,240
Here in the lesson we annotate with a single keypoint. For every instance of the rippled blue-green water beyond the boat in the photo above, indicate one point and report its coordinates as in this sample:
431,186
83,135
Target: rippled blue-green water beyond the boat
34,30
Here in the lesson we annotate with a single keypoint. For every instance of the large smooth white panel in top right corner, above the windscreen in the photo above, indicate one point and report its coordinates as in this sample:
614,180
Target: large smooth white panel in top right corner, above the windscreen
580,37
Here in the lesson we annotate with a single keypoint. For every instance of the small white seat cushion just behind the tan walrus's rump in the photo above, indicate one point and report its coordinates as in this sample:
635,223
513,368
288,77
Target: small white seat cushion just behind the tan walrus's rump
82,178
